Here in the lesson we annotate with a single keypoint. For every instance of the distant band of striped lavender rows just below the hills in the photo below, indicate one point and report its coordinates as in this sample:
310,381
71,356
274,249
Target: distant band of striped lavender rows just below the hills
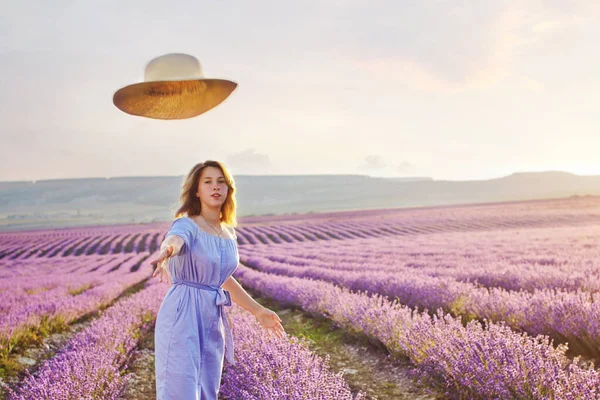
327,227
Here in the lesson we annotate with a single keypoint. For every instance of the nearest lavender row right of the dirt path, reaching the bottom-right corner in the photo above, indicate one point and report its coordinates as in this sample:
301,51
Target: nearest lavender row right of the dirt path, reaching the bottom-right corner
479,362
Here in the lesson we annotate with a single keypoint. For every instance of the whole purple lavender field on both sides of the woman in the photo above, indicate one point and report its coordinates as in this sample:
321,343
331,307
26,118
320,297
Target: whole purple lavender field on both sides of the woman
480,301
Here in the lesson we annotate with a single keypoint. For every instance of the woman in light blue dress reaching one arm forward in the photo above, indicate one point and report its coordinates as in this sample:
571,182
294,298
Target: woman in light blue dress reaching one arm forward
192,330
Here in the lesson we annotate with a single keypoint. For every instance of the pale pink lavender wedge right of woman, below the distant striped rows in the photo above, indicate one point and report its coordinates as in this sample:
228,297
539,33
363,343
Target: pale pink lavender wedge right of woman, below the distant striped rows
566,257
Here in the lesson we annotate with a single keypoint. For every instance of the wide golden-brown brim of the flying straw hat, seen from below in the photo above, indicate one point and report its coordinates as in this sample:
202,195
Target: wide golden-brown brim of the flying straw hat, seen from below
173,99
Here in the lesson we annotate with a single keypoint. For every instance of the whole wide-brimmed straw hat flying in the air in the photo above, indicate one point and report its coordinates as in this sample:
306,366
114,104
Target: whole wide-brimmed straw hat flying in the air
174,87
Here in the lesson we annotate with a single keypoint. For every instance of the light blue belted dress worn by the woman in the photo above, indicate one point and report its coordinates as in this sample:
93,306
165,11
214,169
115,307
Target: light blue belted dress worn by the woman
192,330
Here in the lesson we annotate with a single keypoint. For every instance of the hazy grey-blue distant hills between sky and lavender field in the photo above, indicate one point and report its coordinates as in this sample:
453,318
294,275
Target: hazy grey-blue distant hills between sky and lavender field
92,201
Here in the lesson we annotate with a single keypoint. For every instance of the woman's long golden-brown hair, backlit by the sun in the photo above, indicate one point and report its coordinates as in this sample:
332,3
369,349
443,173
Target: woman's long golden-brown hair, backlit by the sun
190,203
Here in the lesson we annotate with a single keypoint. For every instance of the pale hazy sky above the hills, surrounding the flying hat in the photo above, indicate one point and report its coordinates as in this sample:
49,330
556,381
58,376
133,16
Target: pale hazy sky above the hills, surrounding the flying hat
455,89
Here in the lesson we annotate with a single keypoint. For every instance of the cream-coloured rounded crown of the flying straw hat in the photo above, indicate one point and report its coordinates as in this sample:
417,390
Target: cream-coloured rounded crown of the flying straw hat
173,67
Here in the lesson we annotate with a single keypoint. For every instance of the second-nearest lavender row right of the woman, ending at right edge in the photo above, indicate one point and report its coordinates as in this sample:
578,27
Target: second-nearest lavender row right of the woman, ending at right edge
572,316
